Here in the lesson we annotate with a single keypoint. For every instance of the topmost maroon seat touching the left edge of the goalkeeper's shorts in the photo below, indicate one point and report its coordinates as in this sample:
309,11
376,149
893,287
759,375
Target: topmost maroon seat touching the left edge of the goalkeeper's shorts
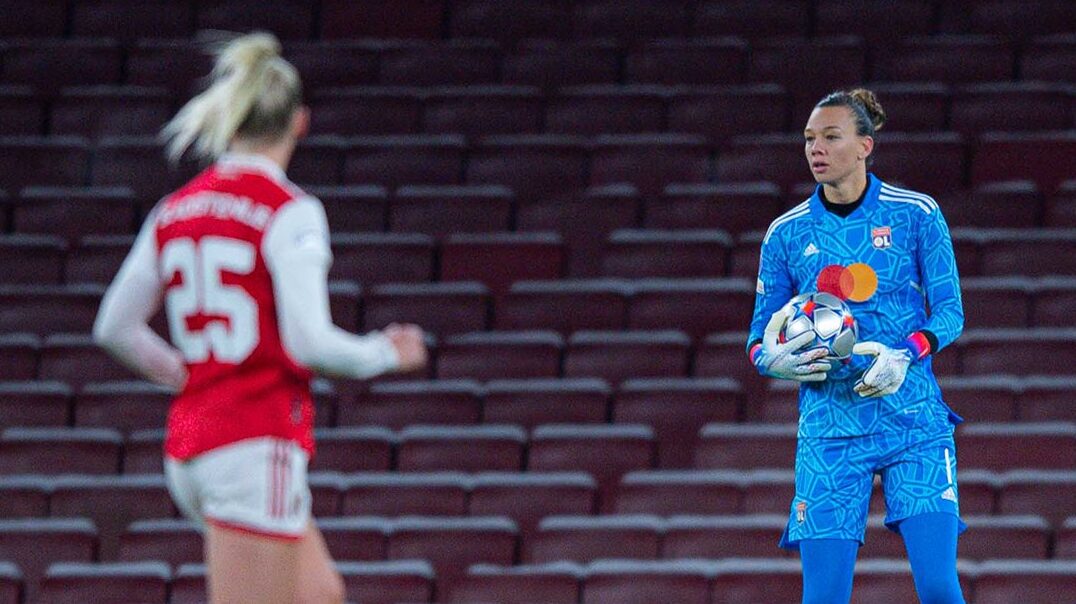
746,446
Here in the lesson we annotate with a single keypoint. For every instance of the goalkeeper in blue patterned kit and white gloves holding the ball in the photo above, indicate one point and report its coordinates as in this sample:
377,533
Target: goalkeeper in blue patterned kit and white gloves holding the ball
887,251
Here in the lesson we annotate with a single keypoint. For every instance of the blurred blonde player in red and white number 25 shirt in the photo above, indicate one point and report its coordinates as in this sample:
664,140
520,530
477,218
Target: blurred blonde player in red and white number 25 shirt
240,257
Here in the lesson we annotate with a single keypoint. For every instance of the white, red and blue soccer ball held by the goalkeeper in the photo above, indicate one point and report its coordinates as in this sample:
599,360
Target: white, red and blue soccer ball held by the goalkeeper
829,318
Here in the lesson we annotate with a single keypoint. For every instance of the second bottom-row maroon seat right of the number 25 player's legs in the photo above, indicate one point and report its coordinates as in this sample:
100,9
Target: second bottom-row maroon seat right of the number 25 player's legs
555,584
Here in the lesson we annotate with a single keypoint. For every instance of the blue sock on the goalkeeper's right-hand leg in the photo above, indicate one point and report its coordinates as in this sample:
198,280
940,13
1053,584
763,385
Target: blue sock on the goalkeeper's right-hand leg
931,541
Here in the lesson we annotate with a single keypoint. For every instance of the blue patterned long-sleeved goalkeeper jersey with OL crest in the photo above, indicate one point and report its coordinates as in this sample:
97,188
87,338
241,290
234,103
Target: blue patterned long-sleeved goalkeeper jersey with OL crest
903,236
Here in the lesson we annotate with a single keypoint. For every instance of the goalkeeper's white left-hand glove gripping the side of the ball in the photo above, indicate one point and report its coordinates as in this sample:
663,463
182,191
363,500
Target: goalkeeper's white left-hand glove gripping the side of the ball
782,361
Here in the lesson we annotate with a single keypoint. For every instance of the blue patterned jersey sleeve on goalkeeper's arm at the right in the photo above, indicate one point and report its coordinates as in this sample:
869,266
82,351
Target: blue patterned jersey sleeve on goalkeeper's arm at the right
938,266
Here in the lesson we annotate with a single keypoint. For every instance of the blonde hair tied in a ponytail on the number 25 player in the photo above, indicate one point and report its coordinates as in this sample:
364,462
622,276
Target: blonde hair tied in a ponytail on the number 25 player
253,94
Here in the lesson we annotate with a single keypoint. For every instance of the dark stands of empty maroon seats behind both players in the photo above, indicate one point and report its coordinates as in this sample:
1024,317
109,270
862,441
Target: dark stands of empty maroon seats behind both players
570,194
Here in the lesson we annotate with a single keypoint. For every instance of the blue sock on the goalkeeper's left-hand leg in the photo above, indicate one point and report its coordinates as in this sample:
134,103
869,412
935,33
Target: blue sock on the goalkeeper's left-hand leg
829,566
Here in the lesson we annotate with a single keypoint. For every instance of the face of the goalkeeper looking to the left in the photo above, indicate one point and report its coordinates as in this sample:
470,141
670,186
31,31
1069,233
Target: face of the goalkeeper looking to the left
833,149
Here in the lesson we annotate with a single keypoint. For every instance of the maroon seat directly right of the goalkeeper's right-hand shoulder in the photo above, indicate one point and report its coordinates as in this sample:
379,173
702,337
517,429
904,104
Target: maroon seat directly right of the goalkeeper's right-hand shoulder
1013,204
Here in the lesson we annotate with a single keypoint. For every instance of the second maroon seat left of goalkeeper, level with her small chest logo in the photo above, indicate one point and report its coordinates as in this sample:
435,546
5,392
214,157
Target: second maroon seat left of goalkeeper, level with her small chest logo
633,254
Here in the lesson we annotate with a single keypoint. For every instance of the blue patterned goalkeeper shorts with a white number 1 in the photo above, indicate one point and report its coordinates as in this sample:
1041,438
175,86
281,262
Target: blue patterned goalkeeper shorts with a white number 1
834,479
